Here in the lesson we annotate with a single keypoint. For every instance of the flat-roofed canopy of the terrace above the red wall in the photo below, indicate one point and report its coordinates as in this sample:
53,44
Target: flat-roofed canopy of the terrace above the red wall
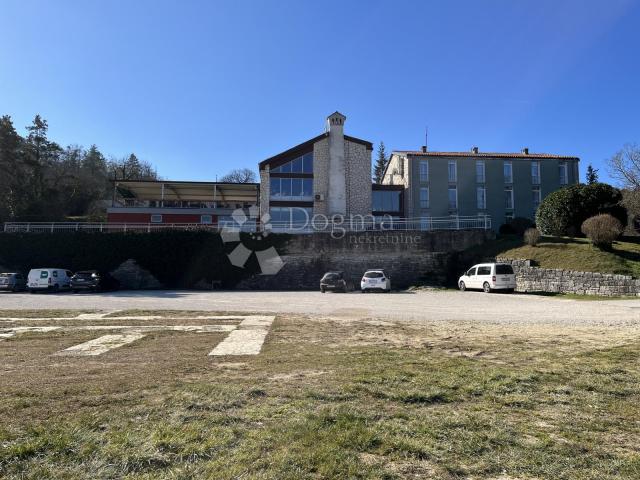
190,191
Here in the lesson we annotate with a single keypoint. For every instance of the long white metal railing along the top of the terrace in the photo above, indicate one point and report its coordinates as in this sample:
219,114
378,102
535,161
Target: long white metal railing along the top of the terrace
355,225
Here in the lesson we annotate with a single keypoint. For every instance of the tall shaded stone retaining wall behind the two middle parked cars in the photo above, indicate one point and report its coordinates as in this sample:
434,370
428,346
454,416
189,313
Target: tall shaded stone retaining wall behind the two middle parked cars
408,257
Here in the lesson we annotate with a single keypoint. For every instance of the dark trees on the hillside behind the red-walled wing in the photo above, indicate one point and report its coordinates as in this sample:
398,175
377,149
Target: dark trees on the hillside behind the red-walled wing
42,181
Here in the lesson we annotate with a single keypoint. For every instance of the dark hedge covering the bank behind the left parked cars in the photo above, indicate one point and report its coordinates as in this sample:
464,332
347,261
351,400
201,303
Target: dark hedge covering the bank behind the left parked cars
178,259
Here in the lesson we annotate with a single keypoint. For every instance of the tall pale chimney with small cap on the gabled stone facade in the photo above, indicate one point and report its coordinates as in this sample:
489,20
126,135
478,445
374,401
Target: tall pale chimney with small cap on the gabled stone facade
337,194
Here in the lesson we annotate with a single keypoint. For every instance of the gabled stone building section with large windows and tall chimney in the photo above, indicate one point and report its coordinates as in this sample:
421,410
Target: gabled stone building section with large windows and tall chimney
327,175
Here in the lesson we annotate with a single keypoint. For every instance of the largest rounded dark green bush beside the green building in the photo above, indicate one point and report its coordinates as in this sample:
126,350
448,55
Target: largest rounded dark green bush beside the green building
563,211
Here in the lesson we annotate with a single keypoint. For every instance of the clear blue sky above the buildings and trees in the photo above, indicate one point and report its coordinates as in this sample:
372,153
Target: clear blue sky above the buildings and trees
201,87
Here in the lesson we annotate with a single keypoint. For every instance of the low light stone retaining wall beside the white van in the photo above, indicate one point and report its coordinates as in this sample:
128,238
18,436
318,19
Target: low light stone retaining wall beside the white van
534,279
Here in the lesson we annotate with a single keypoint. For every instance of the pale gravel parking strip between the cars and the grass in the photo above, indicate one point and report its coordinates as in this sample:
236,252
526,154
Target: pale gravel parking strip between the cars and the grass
427,305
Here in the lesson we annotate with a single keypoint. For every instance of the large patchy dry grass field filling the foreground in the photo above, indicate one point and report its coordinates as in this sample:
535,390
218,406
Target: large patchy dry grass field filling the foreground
327,398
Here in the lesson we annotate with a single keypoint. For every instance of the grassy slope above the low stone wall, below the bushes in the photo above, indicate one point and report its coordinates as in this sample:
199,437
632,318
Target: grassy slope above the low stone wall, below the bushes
571,254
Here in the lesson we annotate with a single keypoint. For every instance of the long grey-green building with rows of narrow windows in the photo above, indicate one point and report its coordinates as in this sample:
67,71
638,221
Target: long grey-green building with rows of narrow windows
501,186
